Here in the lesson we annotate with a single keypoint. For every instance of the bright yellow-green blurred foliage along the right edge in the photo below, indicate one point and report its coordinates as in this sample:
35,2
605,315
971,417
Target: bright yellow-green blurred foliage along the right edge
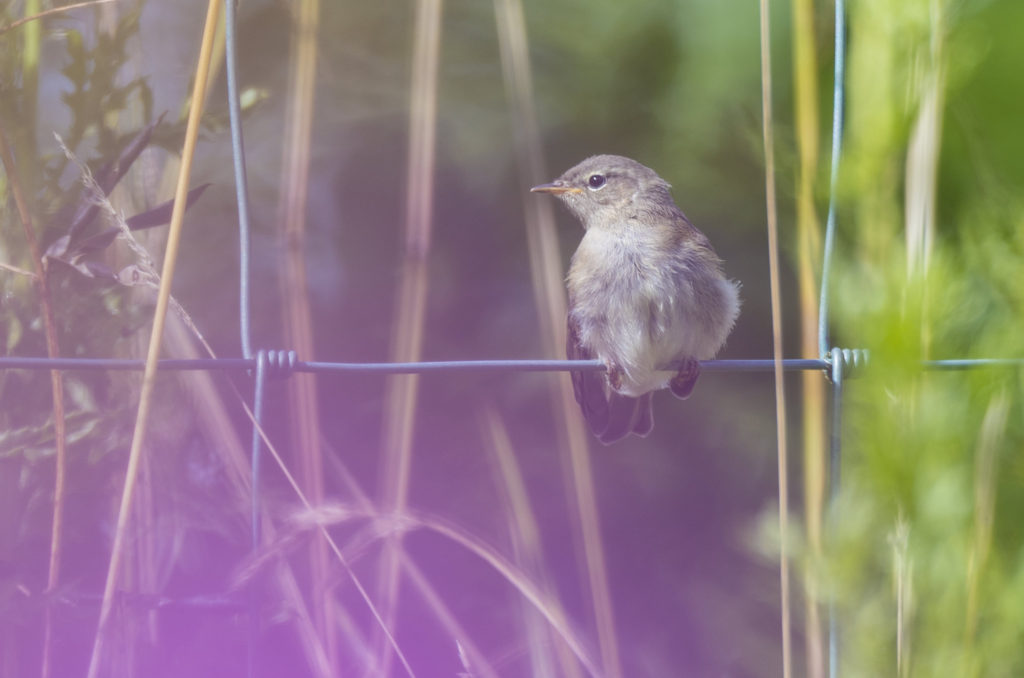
925,543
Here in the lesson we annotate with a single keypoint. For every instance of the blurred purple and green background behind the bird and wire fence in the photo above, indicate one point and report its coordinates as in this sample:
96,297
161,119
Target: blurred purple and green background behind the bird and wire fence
682,579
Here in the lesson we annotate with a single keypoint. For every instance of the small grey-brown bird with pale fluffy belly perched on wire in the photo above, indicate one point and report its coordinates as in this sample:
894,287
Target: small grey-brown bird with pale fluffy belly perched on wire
648,295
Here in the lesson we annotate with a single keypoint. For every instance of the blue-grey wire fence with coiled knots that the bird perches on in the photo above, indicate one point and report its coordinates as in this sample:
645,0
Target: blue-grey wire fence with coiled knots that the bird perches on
836,364
